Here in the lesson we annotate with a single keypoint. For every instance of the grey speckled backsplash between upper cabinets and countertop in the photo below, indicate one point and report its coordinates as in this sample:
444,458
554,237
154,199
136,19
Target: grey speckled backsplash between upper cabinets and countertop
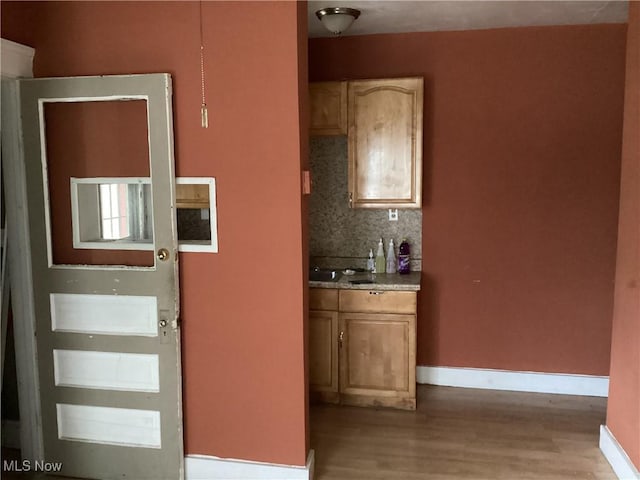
340,236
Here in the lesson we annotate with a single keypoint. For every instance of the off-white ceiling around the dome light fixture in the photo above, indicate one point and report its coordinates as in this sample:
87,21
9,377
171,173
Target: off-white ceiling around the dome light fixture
393,16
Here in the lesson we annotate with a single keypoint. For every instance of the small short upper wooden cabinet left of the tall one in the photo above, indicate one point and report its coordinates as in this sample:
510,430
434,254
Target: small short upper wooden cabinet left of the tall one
328,106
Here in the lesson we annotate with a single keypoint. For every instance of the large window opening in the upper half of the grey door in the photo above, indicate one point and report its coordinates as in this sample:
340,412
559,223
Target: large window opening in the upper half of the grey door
105,145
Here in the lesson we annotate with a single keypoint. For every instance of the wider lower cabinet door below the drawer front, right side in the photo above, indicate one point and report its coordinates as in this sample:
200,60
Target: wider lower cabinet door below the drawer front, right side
377,359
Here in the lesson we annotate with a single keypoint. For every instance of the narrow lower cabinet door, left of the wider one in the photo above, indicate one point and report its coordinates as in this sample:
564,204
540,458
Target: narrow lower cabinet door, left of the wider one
323,355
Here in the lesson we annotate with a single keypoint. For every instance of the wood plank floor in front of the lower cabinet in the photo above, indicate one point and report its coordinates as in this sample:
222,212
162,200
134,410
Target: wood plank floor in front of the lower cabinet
463,434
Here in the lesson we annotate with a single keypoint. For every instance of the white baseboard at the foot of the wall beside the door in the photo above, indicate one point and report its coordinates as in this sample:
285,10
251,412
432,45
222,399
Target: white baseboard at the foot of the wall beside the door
203,467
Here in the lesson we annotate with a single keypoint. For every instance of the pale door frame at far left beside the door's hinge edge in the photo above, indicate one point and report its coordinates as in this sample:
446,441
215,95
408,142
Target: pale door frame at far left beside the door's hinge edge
19,64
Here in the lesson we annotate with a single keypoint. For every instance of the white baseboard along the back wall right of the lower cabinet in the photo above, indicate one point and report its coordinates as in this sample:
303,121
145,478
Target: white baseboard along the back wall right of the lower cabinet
568,384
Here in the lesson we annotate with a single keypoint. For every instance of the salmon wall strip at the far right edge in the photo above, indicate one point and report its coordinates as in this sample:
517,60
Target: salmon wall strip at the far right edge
623,408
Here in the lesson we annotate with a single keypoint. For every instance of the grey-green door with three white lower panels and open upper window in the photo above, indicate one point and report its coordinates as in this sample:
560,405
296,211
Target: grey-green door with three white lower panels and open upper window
97,419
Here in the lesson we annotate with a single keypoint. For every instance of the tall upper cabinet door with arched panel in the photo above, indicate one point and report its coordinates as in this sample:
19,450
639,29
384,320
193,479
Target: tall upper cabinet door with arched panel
385,143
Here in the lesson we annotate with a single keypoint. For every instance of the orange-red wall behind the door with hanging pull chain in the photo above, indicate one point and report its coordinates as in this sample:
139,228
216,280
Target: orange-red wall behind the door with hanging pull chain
243,309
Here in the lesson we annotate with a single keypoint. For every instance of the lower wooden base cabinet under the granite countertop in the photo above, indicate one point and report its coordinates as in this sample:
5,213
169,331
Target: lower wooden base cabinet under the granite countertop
369,359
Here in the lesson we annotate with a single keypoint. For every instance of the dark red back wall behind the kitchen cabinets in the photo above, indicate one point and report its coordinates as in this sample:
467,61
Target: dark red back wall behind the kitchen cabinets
521,170
